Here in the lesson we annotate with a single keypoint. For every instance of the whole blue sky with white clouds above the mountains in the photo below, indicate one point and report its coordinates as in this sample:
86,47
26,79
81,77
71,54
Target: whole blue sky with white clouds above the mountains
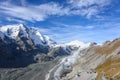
66,20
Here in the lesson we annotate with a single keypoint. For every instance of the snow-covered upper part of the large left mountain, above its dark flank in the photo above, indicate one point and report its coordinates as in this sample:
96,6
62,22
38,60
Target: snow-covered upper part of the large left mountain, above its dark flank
20,30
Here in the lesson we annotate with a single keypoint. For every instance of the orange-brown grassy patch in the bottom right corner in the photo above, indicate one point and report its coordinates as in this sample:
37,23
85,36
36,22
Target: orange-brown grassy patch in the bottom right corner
109,68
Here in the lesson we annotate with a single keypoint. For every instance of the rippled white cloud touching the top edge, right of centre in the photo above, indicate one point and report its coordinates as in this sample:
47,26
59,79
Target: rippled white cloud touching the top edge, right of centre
88,8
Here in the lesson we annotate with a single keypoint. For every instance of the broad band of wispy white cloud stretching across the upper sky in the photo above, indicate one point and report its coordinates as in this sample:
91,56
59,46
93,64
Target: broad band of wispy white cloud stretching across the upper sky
87,8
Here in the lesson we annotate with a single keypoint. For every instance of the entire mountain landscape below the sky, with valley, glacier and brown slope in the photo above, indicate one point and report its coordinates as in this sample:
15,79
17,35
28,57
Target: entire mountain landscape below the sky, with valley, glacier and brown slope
27,54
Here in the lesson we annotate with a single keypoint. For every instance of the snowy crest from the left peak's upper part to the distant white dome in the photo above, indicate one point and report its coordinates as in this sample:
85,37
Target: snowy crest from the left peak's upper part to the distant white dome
31,33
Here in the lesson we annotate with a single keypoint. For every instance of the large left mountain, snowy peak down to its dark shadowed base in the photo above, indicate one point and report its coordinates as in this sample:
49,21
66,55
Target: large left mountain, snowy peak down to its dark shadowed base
20,43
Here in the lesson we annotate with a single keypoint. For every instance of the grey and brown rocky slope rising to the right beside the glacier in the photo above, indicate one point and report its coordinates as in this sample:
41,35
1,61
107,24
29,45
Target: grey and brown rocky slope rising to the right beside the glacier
98,62
